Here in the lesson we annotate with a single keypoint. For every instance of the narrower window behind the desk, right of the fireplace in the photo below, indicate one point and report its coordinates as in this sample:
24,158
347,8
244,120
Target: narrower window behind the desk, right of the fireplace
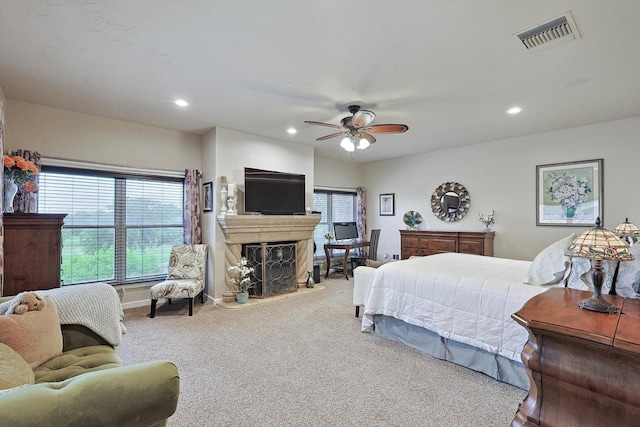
335,206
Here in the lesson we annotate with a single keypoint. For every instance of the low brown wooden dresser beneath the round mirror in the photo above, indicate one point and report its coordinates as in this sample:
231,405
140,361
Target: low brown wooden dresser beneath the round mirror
420,243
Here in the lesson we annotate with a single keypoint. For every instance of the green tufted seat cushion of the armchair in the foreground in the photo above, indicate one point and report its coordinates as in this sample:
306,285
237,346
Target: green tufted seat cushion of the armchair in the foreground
76,362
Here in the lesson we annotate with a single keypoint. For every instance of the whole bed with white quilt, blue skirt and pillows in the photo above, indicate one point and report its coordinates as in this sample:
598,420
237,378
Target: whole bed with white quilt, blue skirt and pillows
458,307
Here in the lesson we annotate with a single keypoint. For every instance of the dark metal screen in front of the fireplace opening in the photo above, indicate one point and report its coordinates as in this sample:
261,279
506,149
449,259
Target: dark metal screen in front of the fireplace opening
274,269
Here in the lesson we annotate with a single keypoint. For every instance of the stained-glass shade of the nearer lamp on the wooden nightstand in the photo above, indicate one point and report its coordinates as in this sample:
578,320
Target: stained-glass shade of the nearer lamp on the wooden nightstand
599,243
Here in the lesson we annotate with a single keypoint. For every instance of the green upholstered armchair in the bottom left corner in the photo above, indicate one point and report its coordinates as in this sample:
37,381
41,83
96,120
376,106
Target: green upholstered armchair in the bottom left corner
87,385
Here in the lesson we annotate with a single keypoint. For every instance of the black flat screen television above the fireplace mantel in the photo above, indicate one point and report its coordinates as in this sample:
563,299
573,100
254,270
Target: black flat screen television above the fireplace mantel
273,193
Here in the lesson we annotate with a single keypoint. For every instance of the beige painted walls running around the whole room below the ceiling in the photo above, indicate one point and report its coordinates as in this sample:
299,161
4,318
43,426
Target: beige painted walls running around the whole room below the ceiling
499,175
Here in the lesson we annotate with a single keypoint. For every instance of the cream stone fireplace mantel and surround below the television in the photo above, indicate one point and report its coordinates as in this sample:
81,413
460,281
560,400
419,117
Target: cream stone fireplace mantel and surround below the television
242,229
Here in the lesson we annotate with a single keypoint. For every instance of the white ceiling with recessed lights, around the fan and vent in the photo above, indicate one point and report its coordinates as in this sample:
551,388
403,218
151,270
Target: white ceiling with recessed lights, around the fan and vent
449,69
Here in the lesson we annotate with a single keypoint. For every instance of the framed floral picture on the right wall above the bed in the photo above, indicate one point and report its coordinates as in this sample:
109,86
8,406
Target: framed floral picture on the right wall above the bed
569,194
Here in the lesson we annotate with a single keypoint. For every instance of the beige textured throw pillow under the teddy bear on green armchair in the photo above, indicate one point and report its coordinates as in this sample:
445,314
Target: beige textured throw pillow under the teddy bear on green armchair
34,335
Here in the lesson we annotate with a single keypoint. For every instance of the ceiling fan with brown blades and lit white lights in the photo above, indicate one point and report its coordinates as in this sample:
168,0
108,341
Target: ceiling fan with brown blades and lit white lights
357,129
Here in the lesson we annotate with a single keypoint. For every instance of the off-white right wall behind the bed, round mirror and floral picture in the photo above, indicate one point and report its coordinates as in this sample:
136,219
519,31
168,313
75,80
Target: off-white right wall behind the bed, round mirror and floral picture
501,176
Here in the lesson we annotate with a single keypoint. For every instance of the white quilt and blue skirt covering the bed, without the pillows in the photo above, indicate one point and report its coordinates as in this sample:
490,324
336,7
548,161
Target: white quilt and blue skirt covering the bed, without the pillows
455,307
